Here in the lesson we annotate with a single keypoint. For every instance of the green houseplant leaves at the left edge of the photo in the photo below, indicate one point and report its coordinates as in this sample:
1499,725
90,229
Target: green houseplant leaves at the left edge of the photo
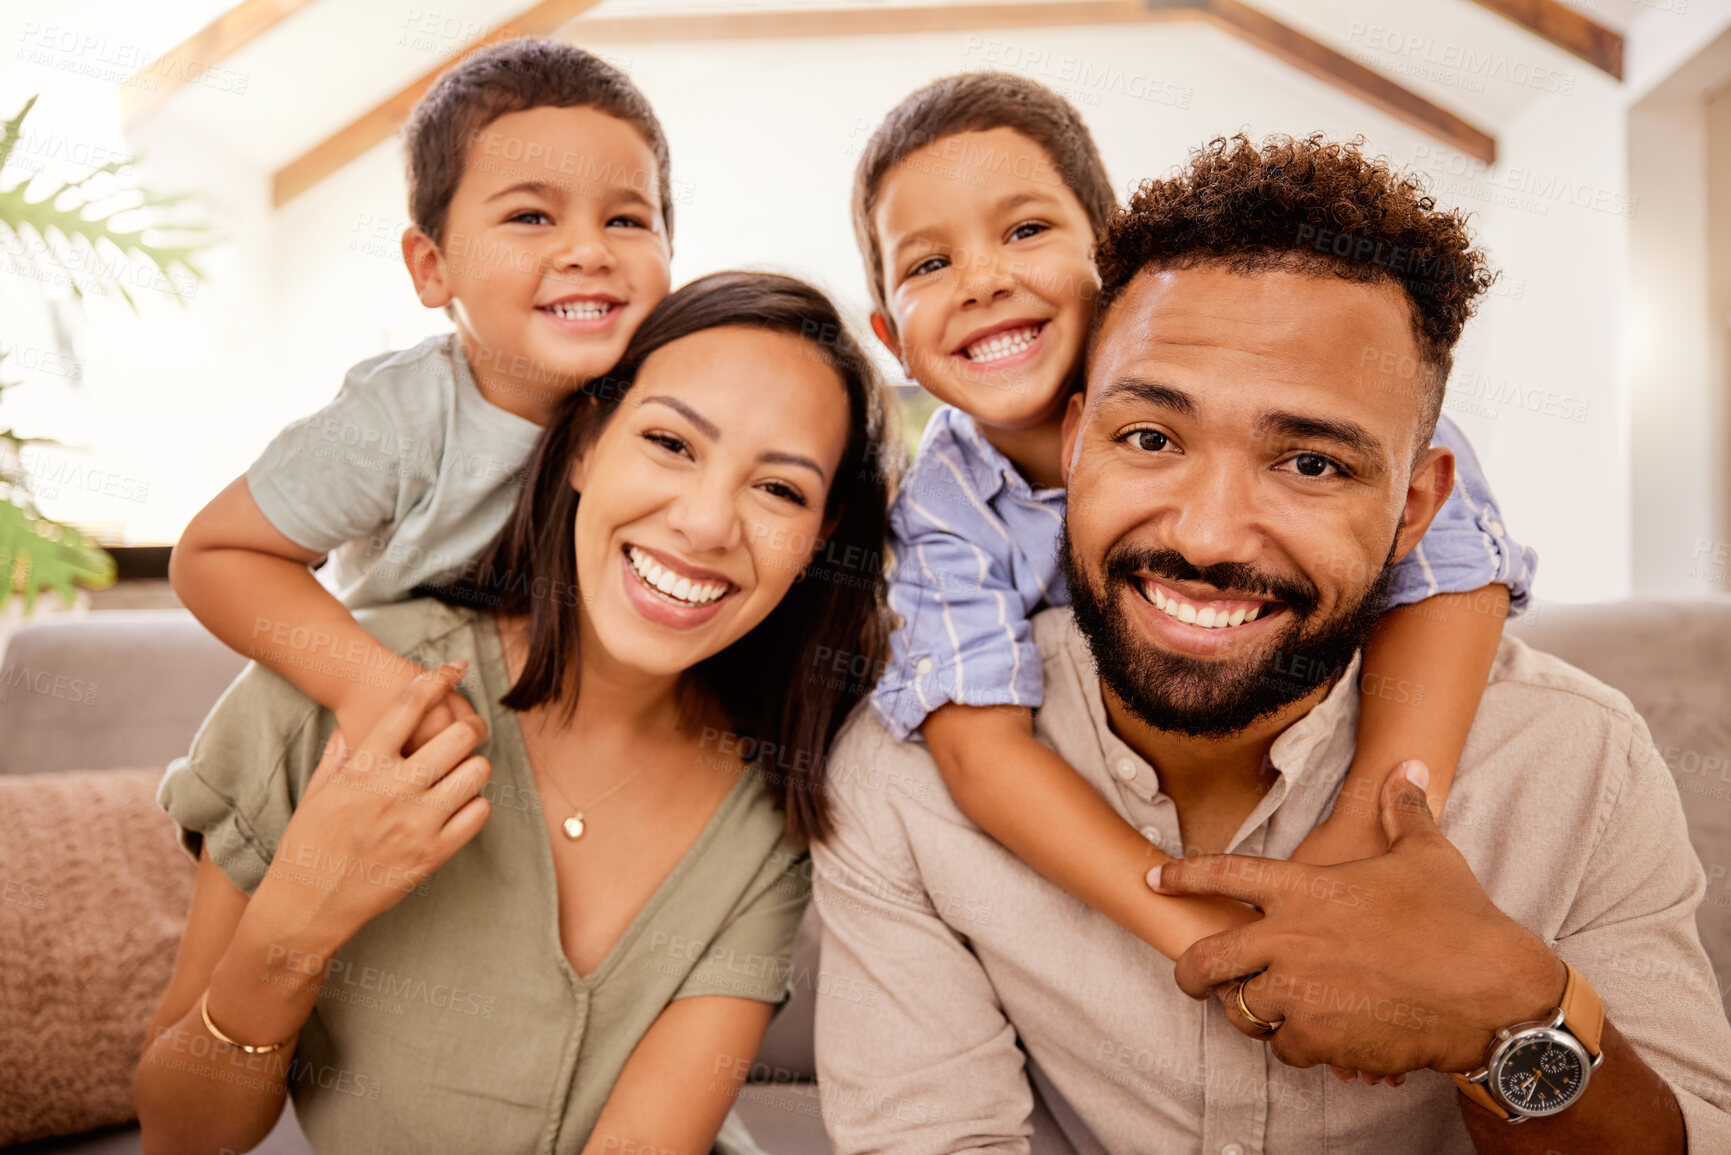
89,228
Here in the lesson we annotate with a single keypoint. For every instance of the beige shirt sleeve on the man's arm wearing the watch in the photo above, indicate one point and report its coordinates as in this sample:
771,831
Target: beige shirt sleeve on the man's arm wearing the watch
1631,932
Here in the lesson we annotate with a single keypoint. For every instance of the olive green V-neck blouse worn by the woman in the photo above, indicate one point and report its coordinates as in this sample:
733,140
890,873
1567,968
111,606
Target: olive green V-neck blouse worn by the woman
454,1021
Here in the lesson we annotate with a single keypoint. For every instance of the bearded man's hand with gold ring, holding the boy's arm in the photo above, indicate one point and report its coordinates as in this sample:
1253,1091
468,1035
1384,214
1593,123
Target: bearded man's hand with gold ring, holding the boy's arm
1384,965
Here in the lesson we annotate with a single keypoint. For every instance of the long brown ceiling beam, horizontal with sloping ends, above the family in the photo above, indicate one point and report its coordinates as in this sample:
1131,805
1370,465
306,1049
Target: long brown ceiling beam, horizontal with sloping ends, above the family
1233,16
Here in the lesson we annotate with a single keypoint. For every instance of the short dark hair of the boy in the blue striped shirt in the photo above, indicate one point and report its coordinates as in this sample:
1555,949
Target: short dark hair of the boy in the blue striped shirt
977,103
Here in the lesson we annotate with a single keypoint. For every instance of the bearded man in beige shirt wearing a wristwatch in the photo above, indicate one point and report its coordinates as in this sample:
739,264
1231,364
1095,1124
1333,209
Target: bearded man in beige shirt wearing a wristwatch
1254,429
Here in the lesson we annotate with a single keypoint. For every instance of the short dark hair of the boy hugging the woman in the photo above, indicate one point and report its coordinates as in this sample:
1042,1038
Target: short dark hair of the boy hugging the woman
515,77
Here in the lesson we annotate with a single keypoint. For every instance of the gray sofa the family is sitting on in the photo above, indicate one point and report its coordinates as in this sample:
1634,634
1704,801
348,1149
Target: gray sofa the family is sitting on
155,674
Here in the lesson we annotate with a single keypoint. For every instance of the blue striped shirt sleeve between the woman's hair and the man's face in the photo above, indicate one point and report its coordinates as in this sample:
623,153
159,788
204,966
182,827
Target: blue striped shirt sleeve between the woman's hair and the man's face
963,633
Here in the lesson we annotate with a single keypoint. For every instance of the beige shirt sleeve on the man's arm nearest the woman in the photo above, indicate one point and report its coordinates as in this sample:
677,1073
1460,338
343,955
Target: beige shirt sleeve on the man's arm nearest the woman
913,1049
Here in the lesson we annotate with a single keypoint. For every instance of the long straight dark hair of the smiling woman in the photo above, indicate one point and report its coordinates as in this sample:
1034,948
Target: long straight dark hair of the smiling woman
776,683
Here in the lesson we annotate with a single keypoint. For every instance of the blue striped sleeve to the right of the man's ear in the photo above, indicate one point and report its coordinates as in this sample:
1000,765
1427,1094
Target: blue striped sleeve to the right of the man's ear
1467,546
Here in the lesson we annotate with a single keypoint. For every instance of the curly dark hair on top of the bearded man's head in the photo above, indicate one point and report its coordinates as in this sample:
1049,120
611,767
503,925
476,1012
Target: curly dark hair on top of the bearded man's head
1306,205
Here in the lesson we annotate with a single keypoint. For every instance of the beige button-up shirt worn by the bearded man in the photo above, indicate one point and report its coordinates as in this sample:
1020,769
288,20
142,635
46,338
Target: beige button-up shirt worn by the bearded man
986,1005
